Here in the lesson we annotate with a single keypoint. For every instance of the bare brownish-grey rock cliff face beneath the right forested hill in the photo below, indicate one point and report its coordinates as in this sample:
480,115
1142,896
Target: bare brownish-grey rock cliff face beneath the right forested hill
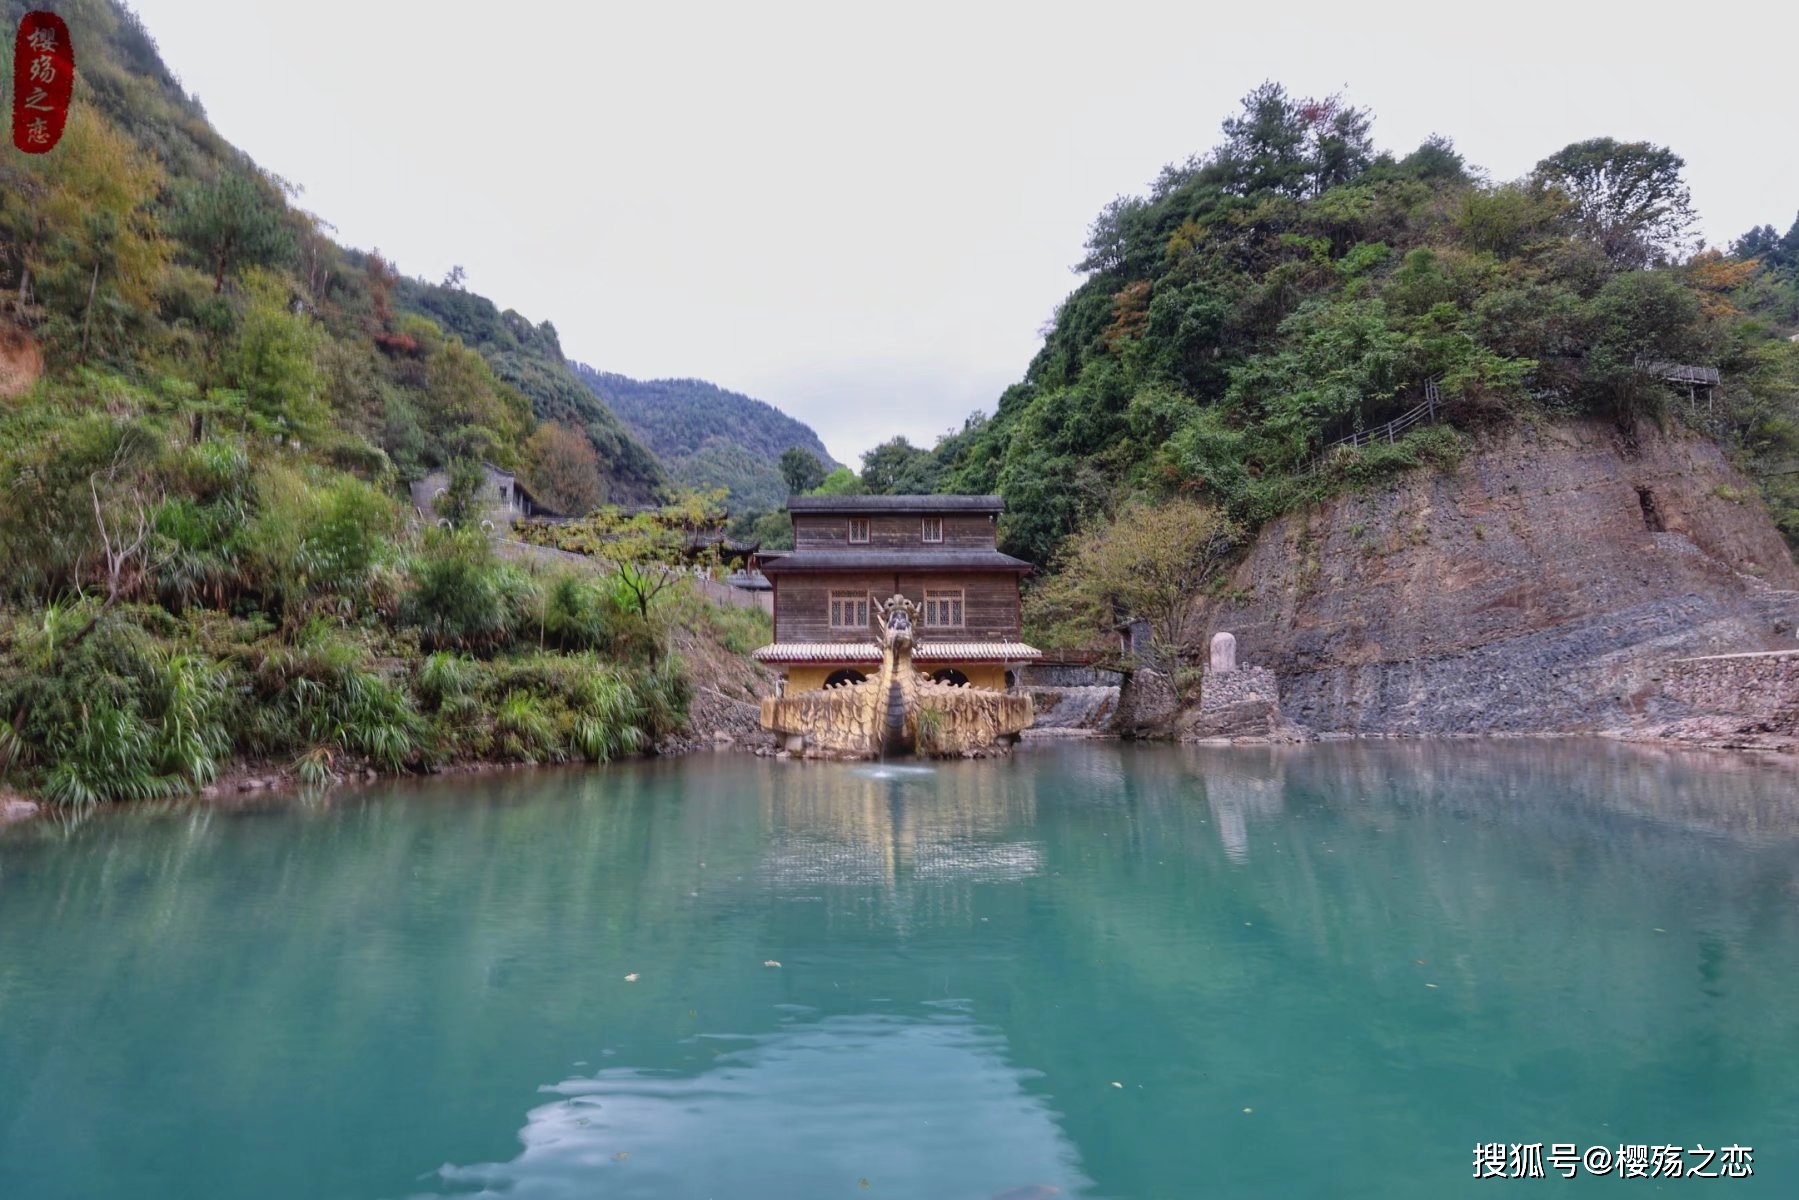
1543,586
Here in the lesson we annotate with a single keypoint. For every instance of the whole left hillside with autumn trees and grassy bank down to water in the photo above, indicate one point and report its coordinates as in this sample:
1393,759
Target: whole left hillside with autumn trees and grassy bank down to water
208,418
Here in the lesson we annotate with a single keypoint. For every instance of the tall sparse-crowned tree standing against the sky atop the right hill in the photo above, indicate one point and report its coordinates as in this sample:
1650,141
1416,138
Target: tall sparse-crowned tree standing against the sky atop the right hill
1629,199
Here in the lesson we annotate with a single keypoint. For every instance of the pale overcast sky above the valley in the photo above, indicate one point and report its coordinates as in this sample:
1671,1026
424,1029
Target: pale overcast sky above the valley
864,215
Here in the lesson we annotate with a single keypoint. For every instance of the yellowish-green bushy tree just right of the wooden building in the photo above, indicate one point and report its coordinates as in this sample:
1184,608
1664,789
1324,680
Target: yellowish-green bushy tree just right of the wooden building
1150,562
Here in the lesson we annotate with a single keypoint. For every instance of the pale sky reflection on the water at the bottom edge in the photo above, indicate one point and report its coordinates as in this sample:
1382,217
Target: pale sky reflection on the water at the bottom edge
935,1106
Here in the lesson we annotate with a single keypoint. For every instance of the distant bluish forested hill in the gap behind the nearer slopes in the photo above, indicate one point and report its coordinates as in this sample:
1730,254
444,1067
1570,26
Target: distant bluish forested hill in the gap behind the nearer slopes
708,436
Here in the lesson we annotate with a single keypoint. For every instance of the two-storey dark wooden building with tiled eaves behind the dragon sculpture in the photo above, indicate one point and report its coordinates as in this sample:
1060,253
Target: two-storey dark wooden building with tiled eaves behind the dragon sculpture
936,551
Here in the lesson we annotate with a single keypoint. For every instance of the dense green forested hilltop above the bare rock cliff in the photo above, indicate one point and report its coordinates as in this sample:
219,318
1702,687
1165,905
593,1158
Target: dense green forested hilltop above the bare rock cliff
1296,285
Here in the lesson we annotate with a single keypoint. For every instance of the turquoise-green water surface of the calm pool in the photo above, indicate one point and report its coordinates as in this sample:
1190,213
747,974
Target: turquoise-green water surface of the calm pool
1107,971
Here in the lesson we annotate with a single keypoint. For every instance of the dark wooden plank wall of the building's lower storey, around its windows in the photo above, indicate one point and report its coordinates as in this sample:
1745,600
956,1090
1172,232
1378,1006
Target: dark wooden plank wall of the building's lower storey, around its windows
803,604
